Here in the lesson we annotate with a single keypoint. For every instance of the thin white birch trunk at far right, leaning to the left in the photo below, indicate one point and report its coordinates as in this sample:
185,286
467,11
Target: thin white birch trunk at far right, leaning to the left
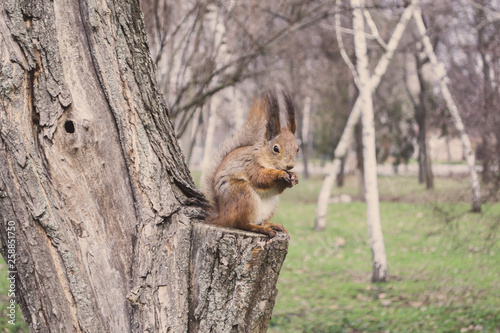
442,79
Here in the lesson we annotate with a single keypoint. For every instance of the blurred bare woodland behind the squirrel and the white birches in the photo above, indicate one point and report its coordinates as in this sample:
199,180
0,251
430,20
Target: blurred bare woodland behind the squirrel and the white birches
217,55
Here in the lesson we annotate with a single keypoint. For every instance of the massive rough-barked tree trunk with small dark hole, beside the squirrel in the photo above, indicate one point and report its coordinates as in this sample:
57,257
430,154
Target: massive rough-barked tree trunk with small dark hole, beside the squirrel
94,183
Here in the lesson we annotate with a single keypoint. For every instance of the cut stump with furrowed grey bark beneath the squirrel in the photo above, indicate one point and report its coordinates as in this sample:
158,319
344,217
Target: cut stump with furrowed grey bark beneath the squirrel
233,279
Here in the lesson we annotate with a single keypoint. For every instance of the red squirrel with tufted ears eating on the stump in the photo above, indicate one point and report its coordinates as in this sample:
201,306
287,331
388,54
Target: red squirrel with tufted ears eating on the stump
252,169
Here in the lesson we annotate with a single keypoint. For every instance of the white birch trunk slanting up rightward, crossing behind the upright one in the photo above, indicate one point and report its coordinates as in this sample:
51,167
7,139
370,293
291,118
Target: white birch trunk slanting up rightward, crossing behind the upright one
345,140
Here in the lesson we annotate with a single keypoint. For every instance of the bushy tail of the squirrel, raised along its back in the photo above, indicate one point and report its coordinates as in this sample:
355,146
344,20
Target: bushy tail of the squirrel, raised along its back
253,132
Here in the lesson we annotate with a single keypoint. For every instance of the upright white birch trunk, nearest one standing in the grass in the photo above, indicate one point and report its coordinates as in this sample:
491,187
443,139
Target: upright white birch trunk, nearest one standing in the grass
369,160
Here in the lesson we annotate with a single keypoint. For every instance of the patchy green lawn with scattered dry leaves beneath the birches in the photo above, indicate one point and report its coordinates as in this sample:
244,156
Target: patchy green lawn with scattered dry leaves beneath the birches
444,263
